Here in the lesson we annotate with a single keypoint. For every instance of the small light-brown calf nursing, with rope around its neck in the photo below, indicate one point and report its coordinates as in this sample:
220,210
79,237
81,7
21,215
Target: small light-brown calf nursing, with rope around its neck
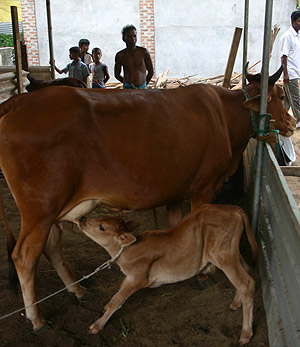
208,236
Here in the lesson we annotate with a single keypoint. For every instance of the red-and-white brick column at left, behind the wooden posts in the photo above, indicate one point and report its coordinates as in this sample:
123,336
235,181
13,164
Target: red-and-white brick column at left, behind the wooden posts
29,30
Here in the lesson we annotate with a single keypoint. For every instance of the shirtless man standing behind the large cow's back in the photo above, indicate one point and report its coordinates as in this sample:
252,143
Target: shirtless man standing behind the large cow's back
135,60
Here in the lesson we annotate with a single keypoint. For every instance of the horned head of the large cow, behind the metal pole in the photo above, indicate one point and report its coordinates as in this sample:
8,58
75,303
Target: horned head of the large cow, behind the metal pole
285,123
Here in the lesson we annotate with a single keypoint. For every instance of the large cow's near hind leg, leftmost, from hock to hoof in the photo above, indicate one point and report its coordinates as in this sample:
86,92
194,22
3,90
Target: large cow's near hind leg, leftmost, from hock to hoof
27,251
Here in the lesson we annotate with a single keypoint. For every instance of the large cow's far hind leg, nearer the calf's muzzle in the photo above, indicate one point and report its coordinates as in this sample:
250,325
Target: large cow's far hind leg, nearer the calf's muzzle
54,253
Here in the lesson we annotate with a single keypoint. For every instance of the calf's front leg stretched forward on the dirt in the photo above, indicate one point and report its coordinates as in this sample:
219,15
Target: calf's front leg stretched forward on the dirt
126,290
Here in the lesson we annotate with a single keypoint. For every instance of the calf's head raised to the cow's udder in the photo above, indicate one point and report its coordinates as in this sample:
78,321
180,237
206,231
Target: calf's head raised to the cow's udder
109,231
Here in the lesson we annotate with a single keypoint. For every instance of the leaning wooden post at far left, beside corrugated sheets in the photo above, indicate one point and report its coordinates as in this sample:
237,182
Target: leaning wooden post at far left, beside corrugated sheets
17,47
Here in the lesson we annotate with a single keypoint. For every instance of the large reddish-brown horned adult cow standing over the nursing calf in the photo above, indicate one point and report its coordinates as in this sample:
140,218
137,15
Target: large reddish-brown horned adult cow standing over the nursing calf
64,151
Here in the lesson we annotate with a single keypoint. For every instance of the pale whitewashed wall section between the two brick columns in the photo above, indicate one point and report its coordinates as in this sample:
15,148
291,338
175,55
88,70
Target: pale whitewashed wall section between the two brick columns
100,22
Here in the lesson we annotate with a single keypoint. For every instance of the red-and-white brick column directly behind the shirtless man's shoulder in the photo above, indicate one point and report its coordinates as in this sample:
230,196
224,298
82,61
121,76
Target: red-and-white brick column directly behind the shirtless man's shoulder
147,27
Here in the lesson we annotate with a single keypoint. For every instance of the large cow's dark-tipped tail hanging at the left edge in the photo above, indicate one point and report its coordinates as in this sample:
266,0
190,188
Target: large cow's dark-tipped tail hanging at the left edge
11,241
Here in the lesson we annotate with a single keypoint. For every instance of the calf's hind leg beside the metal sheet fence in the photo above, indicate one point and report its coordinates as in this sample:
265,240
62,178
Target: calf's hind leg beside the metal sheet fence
245,285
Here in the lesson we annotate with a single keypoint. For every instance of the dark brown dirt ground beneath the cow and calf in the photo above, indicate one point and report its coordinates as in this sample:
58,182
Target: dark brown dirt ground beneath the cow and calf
177,314
